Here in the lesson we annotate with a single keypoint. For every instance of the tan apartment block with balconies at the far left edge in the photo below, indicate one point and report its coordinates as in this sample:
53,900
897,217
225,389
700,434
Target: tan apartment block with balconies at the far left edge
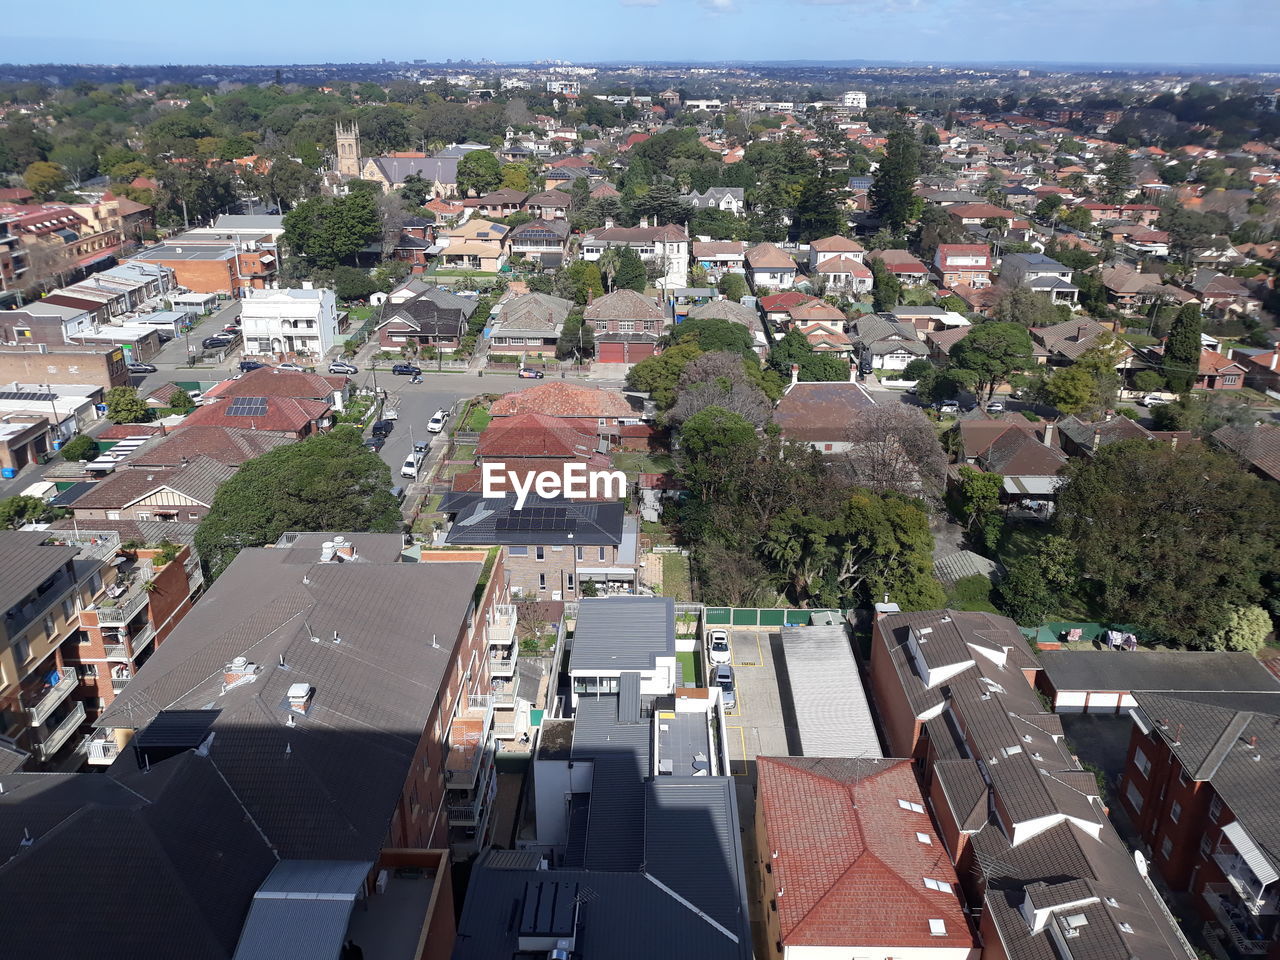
44,588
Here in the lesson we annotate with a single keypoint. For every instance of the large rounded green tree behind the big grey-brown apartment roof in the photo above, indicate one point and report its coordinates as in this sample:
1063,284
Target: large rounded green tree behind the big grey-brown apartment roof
328,482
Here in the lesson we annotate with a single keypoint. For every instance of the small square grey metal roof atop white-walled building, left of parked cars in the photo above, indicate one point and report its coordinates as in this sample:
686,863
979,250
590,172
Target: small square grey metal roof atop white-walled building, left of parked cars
623,633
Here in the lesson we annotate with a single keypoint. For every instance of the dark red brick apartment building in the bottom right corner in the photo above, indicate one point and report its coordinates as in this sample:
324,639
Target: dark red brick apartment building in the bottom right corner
1200,785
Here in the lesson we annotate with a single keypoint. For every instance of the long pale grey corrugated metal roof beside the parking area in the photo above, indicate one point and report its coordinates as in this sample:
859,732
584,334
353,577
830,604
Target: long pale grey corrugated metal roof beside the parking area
831,710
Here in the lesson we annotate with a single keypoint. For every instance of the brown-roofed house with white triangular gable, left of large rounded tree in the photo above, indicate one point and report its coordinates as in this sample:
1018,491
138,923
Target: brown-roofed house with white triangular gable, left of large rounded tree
182,493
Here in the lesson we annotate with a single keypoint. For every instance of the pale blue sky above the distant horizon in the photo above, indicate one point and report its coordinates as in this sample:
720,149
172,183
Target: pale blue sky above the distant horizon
1236,33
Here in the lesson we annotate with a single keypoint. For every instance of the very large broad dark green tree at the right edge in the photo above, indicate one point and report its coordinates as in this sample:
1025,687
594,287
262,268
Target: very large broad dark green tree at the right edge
1169,538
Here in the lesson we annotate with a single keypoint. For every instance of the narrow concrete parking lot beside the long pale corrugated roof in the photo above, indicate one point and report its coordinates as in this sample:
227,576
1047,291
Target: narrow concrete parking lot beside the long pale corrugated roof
757,725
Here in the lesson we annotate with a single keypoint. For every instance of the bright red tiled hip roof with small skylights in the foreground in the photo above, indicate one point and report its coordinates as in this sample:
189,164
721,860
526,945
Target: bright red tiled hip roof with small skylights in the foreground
849,862
